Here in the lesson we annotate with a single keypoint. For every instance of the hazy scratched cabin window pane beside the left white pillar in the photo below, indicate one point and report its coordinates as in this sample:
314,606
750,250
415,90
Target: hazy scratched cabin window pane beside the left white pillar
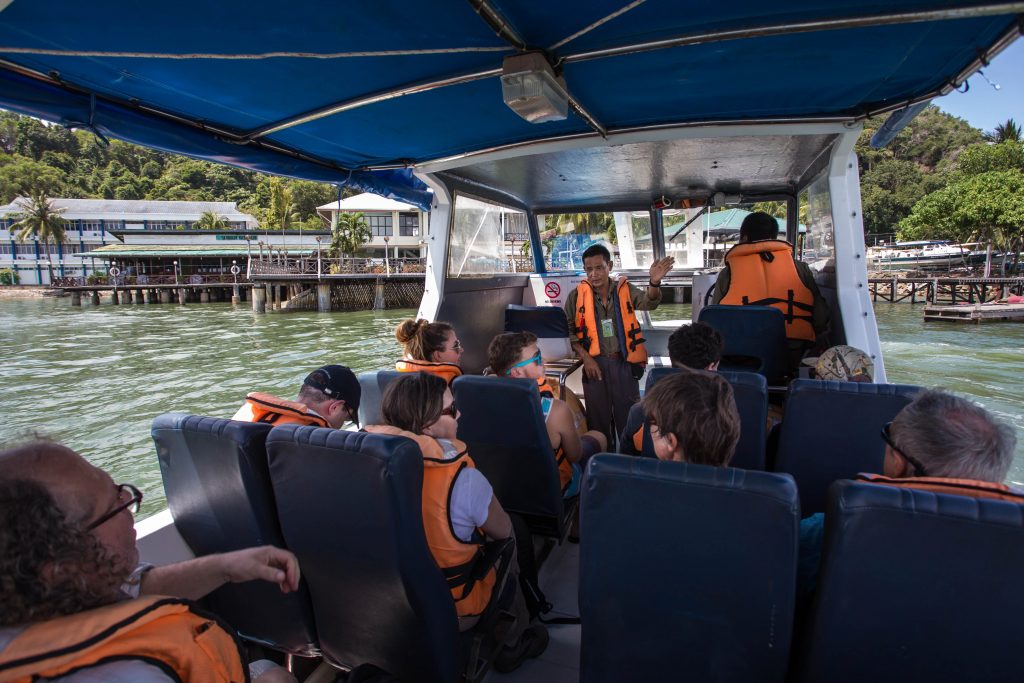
487,239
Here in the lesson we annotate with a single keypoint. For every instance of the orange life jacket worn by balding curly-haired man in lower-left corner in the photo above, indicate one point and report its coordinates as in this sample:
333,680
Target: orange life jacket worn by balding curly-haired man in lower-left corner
165,632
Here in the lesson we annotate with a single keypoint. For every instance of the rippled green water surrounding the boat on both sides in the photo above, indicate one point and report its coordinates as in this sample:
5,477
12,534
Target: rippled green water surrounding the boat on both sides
95,378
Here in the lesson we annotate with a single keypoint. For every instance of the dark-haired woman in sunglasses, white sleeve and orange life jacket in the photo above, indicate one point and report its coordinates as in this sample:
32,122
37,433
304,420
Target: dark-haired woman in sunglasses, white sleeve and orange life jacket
459,508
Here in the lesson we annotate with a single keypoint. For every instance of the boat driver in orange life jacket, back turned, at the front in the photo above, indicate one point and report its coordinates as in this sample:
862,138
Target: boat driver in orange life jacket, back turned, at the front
761,272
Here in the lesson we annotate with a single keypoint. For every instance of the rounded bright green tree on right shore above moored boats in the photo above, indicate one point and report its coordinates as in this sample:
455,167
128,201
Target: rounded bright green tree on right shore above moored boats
985,207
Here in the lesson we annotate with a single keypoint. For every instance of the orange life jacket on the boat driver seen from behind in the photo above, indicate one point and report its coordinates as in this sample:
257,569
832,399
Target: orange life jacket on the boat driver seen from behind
763,274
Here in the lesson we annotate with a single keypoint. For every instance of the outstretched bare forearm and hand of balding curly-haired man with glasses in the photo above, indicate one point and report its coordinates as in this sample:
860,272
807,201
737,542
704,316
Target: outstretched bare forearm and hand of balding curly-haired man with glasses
195,579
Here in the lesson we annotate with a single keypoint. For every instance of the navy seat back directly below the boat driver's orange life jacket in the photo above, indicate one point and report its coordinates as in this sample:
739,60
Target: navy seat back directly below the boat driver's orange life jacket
755,333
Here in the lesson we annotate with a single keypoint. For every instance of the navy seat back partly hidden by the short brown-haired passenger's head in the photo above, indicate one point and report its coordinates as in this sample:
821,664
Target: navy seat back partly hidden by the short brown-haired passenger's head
751,393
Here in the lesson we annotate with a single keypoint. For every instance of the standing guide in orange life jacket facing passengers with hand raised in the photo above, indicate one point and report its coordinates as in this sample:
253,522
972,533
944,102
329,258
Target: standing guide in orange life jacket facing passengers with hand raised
607,336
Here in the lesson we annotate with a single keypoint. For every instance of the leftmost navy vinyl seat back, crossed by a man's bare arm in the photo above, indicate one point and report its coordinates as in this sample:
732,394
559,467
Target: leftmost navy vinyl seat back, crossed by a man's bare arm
219,491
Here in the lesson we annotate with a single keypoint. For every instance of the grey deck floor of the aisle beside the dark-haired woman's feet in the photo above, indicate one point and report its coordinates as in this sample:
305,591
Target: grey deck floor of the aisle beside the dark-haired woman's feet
560,579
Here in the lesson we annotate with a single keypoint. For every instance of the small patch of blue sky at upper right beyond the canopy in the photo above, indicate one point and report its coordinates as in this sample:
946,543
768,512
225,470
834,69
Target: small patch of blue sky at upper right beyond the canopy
985,107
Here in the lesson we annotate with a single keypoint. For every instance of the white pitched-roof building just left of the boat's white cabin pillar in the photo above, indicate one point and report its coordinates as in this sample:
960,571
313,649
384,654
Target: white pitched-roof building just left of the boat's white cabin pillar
397,227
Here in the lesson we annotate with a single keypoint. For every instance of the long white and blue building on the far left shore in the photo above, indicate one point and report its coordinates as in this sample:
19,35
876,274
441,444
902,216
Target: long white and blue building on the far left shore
96,225
